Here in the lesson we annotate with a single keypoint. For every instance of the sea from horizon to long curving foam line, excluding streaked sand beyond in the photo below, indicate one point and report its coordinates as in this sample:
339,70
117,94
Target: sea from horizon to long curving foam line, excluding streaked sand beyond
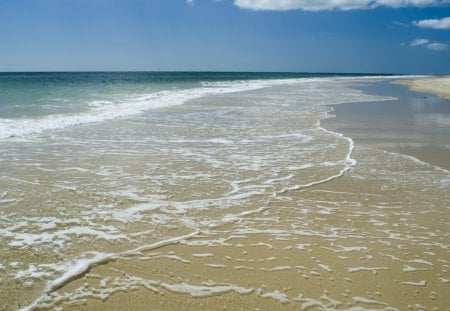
96,167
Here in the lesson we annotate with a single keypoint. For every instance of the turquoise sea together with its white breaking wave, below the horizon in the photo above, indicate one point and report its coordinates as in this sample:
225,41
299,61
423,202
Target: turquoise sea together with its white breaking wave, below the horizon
32,103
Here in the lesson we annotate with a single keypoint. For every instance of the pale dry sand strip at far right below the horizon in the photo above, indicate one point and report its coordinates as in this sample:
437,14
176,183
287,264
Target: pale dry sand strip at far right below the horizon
439,86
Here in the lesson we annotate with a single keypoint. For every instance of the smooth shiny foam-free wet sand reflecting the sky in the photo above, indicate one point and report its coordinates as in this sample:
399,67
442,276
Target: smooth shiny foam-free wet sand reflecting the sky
415,124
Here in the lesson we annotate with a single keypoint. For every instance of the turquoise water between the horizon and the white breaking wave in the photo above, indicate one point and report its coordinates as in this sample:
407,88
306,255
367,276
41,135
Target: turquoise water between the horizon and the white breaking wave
29,95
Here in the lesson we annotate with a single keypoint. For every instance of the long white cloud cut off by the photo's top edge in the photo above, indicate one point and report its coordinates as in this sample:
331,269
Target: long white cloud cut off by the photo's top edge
322,5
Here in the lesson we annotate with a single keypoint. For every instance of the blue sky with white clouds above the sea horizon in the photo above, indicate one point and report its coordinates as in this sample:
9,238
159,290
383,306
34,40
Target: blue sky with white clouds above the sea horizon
350,36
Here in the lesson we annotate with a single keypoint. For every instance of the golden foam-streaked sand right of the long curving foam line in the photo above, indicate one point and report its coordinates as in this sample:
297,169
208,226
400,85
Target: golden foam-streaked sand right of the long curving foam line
374,239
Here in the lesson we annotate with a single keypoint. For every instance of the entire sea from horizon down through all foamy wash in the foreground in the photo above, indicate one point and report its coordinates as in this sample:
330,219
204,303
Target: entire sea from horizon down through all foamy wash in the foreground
113,183
